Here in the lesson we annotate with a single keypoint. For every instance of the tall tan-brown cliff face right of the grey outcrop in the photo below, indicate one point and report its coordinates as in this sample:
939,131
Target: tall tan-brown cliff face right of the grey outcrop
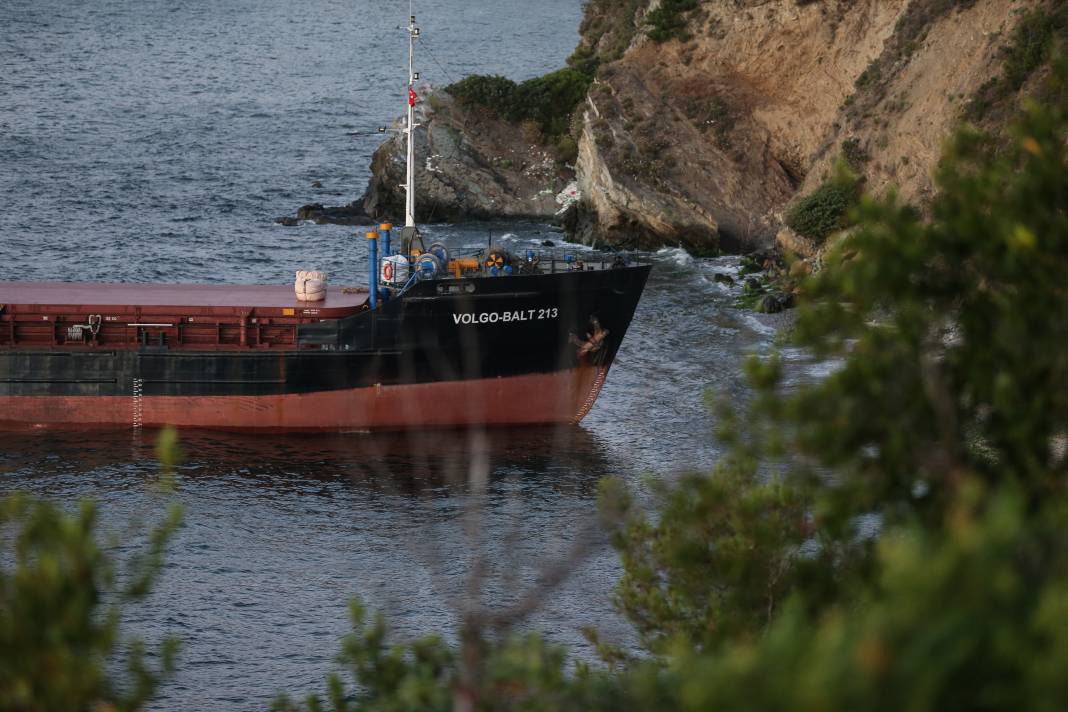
718,133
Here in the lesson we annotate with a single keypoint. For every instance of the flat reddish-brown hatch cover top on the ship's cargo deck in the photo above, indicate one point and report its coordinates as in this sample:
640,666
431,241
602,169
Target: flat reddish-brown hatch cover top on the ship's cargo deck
87,298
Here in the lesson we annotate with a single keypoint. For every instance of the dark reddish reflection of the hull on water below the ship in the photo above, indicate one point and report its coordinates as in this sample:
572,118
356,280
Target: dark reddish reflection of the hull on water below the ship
400,463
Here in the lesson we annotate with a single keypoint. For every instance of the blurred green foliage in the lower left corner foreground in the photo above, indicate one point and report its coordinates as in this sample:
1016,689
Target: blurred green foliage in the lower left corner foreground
60,598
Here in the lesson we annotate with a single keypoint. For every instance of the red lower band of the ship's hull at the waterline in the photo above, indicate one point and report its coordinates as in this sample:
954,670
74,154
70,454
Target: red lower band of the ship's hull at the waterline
540,399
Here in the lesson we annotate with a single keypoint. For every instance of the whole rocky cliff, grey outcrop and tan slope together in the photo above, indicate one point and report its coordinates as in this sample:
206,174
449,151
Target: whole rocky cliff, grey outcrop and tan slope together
706,120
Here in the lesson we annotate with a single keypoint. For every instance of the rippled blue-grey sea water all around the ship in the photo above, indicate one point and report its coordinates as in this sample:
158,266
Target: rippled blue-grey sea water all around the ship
156,141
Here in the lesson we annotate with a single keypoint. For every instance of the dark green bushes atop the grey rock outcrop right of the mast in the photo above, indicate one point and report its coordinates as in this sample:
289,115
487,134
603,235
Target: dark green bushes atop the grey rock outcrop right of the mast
549,101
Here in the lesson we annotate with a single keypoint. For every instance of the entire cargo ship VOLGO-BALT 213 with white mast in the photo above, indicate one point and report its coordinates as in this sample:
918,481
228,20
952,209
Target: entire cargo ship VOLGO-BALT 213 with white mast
436,340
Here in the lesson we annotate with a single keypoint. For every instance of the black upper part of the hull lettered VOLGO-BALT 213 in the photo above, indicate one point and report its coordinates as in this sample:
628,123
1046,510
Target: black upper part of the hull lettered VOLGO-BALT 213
443,331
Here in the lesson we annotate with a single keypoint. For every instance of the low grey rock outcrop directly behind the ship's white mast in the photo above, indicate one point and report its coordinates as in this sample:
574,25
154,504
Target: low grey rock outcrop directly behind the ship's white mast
470,165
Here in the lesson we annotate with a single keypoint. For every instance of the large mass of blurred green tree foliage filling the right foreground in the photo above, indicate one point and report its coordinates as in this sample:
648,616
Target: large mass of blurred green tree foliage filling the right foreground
933,462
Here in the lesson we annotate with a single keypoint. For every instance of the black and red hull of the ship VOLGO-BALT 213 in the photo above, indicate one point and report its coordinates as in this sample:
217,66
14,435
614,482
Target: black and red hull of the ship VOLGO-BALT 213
520,351
